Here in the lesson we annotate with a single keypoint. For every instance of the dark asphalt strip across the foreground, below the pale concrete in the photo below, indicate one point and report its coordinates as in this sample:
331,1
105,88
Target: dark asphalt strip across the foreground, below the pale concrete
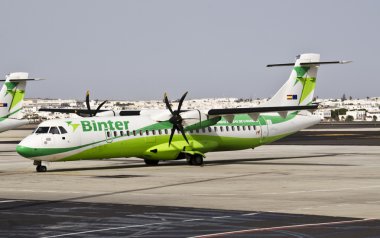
76,219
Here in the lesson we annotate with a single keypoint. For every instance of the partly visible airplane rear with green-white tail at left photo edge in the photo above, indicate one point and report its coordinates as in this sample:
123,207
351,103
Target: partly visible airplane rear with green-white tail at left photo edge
11,98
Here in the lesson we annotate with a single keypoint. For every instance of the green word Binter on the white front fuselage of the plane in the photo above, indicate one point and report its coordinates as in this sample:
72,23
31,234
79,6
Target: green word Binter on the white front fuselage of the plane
104,125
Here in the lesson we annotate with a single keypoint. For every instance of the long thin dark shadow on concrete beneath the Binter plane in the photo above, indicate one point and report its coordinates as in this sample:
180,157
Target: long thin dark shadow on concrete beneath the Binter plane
253,161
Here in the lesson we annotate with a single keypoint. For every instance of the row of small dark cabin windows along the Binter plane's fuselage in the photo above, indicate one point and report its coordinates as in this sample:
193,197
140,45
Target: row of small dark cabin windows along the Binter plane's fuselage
168,131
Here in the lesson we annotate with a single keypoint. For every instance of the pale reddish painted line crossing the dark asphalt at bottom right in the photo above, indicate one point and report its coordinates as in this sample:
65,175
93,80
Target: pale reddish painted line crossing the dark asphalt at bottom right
281,228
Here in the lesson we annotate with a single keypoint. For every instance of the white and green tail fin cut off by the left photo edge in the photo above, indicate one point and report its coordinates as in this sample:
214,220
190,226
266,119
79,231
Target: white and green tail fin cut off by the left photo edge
12,95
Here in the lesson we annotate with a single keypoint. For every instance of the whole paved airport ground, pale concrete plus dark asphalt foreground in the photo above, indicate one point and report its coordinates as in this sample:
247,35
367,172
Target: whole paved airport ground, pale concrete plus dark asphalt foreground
274,190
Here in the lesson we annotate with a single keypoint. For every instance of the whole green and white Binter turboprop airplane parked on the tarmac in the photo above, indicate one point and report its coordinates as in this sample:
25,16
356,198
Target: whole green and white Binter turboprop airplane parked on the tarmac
155,135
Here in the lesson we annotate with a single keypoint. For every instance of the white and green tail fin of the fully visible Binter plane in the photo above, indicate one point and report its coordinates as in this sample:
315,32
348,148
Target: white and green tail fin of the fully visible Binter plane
299,89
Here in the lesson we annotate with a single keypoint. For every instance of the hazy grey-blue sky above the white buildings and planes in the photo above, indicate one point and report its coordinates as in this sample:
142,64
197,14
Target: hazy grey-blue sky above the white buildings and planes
139,49
